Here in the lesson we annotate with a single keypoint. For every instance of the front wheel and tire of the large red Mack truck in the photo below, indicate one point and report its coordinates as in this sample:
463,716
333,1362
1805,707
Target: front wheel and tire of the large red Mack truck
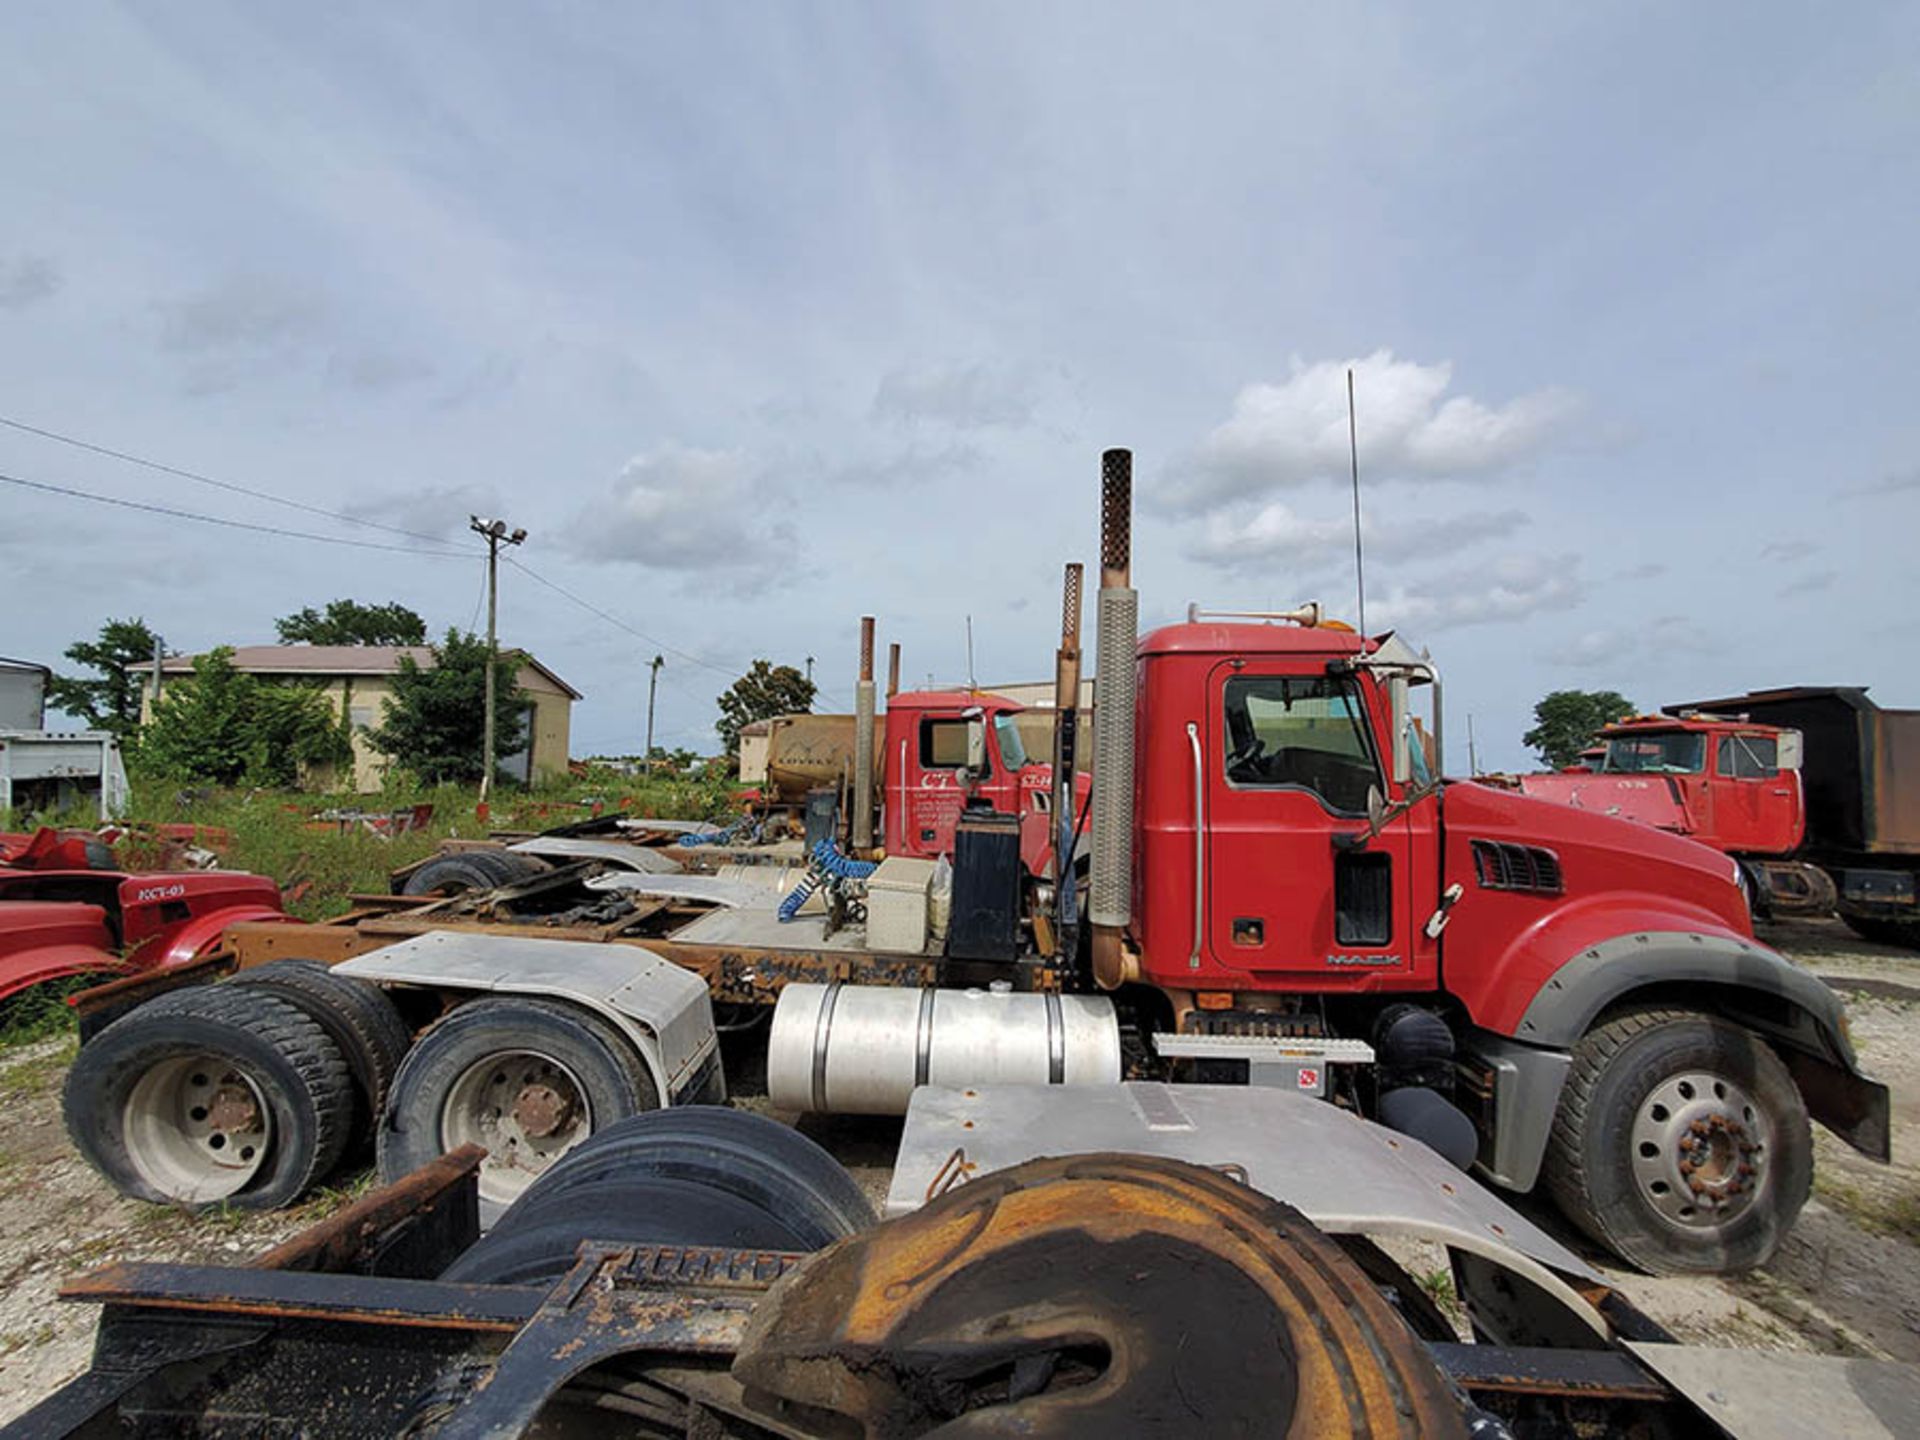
1654,1090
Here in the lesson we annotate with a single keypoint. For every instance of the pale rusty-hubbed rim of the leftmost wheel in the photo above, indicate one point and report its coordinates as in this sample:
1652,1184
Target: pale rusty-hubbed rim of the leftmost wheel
197,1128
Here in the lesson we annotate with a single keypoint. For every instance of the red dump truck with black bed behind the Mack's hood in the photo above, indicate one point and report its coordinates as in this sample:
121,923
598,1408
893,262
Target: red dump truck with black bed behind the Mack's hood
1813,790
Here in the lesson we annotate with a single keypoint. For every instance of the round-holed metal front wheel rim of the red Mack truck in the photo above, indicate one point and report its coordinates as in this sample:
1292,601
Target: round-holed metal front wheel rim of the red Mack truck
1700,1149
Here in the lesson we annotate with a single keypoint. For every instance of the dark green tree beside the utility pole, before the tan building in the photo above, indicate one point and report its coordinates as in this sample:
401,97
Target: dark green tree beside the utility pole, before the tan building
437,715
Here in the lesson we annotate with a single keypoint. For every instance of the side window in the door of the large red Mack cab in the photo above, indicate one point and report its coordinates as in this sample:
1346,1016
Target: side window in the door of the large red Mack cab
1301,734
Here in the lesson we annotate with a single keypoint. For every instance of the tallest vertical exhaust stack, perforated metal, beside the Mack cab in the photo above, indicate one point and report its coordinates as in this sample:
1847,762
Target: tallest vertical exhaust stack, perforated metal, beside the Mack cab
1116,633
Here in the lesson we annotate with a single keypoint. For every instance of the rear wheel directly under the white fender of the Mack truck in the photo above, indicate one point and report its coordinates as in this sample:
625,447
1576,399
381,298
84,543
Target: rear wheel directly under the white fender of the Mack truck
525,1078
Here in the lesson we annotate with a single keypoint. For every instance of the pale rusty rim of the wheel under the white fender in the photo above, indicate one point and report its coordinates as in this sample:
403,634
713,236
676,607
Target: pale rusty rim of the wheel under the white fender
527,1109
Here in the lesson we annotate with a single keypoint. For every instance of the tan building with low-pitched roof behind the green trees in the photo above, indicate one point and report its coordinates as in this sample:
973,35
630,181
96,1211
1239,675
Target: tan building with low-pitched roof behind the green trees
358,679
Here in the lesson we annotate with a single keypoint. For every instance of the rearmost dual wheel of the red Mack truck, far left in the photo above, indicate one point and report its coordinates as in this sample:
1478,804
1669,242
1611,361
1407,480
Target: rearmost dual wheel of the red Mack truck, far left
212,1095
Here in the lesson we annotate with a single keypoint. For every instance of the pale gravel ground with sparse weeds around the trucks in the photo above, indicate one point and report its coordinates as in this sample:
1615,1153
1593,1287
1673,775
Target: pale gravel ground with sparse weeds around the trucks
1848,1282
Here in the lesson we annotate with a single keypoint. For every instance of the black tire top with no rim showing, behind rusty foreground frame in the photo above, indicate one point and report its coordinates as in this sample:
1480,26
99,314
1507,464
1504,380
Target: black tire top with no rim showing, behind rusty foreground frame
700,1176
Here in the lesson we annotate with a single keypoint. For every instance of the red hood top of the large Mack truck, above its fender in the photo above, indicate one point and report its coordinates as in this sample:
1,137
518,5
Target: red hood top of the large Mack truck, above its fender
1598,853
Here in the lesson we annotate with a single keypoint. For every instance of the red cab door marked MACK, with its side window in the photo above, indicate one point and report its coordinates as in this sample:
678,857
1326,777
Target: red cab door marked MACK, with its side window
1289,761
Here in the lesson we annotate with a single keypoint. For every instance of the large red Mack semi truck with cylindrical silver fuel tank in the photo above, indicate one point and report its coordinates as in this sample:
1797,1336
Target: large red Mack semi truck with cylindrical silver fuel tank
1280,892
